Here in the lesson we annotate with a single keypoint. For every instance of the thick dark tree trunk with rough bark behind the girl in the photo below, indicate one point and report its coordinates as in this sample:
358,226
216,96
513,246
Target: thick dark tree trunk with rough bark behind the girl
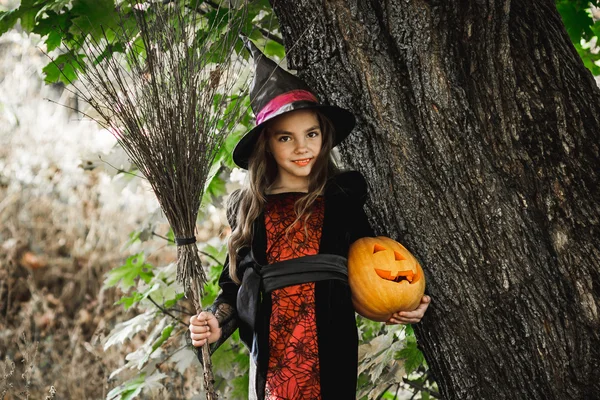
478,132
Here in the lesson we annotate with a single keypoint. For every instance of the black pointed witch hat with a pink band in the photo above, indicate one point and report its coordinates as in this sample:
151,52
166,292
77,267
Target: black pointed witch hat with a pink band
275,91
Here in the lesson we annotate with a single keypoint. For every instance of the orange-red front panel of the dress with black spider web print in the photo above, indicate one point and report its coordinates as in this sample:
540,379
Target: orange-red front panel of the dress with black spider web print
293,372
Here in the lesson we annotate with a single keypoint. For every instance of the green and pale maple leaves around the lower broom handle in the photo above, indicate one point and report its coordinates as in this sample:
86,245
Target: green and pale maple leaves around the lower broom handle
159,303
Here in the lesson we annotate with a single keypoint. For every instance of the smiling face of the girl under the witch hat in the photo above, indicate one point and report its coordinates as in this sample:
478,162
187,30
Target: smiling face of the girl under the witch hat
295,140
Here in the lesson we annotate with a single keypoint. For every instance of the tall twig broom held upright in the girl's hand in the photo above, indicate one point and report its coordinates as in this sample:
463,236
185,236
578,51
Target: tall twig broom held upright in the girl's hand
163,87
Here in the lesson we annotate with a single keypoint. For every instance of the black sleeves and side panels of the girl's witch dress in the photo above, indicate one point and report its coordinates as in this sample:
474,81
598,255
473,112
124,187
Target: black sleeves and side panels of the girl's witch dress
344,222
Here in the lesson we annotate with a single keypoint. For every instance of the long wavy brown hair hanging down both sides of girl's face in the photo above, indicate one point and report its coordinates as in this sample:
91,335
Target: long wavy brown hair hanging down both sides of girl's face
262,171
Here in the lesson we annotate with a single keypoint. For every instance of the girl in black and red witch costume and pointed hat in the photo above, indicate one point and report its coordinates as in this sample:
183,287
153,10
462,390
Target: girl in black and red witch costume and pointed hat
284,284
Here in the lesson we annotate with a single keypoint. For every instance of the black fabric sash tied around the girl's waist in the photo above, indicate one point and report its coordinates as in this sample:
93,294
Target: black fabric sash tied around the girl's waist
267,278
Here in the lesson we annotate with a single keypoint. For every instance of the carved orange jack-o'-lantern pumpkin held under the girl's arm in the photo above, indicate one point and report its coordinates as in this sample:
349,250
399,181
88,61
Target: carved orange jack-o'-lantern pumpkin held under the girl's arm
384,278
